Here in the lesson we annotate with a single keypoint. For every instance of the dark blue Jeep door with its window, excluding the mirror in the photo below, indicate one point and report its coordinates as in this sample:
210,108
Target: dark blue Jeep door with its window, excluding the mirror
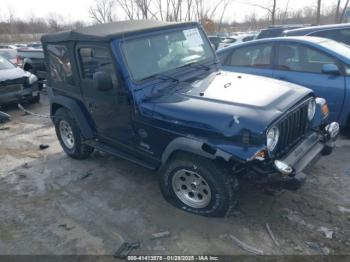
110,110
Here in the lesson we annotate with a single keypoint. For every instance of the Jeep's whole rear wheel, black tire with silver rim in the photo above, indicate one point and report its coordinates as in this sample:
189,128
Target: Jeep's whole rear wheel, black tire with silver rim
69,135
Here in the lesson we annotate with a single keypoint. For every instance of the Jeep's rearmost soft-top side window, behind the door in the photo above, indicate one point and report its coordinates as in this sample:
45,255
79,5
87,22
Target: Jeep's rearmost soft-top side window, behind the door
60,66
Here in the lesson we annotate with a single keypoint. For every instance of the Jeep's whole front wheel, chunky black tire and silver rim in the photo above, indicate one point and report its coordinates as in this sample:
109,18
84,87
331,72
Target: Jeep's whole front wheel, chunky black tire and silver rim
199,185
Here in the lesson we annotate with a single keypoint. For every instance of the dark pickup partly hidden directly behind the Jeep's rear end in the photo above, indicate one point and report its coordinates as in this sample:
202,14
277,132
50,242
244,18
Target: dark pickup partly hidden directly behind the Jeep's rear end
32,60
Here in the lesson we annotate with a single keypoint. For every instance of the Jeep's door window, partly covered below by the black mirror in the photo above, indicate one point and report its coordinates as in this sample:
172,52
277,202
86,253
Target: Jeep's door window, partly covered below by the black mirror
95,59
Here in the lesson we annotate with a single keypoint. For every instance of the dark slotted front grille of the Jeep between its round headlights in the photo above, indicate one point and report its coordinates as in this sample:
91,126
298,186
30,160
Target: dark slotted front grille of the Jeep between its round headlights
293,126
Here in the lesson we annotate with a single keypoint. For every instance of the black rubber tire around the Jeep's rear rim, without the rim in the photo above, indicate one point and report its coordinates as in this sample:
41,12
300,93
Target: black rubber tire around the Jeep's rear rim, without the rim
79,150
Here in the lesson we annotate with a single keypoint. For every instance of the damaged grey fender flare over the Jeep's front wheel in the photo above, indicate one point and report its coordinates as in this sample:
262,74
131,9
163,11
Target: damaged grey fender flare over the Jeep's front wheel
193,146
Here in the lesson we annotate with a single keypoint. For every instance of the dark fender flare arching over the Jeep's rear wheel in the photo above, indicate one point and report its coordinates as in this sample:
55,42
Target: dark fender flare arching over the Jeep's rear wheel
74,107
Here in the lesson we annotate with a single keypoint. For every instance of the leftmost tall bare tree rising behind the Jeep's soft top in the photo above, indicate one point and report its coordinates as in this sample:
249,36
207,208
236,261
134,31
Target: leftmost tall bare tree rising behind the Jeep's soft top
102,11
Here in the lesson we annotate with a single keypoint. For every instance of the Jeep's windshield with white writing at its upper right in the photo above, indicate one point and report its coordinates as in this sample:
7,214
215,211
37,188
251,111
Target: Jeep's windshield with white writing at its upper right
157,54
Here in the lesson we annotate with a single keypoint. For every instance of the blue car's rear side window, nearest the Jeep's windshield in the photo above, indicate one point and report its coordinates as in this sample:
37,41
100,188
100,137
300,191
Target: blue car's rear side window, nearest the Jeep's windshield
253,56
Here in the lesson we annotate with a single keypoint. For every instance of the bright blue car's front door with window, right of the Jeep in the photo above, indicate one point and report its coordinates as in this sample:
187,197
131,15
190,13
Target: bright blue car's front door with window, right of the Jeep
303,65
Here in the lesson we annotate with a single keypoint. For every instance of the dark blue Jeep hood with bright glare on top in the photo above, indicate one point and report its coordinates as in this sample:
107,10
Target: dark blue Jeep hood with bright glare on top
227,103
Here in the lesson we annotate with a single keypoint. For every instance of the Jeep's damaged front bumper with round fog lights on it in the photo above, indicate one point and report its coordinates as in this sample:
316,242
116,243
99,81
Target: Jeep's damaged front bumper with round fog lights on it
288,172
